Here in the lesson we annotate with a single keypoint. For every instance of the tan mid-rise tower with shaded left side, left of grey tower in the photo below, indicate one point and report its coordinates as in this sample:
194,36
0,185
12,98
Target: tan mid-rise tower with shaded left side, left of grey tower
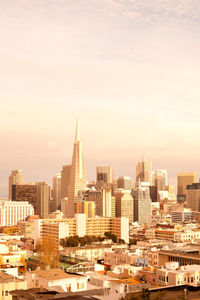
124,205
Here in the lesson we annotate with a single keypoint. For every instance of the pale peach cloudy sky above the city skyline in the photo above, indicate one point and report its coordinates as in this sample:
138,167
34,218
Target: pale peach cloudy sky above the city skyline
128,69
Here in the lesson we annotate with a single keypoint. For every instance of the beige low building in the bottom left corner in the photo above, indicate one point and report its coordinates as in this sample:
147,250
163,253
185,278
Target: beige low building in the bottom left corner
9,283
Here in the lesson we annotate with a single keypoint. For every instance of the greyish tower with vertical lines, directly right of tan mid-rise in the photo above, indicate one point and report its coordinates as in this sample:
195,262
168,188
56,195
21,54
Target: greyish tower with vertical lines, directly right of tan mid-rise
142,204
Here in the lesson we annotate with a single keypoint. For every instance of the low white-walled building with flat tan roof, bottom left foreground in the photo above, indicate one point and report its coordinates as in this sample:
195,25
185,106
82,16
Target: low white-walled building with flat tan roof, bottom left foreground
56,278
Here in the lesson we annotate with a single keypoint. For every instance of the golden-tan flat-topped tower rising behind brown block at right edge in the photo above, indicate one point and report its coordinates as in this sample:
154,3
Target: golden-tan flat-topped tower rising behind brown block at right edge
184,179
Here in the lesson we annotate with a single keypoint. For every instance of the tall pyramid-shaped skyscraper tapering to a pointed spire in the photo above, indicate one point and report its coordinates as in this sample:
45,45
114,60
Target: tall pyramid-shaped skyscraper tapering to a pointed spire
77,180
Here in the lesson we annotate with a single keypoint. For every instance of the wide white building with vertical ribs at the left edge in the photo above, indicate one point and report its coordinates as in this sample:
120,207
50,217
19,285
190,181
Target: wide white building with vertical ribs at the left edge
11,212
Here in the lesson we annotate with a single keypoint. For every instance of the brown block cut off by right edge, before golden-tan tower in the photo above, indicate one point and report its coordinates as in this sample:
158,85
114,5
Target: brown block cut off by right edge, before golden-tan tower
193,196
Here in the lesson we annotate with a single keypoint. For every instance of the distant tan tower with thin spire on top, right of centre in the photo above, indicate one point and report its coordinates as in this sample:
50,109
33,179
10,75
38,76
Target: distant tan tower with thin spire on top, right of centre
144,171
